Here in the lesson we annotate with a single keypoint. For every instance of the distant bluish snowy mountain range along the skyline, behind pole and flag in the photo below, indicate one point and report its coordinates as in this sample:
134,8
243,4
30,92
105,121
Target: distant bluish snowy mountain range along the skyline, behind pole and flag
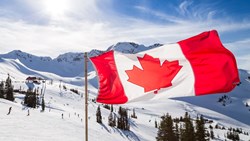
69,64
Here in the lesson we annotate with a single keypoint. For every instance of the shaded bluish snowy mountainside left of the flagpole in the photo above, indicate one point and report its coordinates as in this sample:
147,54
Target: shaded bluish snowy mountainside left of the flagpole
66,65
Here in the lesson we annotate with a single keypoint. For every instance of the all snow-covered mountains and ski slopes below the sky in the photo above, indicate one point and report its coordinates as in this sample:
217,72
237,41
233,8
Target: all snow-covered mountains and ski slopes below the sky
63,118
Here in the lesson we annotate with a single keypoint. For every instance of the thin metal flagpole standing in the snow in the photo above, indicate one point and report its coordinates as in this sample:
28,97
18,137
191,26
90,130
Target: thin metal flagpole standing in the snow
86,94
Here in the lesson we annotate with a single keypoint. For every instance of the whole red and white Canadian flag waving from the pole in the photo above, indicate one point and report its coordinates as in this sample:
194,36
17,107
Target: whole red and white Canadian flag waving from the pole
196,66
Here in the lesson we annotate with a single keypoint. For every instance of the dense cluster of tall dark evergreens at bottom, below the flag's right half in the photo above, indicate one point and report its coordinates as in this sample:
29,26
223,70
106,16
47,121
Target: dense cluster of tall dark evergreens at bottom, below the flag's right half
182,129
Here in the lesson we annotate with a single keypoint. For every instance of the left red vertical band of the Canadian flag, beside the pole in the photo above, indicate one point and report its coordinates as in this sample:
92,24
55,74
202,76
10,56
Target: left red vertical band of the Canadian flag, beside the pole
111,90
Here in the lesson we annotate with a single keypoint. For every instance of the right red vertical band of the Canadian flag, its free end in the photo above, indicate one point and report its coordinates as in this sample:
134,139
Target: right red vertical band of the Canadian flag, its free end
214,66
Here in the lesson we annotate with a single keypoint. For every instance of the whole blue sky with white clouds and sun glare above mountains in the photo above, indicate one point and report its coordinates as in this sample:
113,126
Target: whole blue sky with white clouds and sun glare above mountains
51,27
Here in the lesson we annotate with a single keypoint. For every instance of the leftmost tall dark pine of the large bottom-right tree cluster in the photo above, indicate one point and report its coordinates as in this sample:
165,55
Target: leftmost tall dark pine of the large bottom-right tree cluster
165,130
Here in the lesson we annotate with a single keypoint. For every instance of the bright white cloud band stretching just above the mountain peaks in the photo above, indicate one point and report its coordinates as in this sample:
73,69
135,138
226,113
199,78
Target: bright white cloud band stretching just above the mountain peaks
84,36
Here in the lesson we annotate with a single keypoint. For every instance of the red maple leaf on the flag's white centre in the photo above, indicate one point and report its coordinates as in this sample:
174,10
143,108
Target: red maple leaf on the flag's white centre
153,76
